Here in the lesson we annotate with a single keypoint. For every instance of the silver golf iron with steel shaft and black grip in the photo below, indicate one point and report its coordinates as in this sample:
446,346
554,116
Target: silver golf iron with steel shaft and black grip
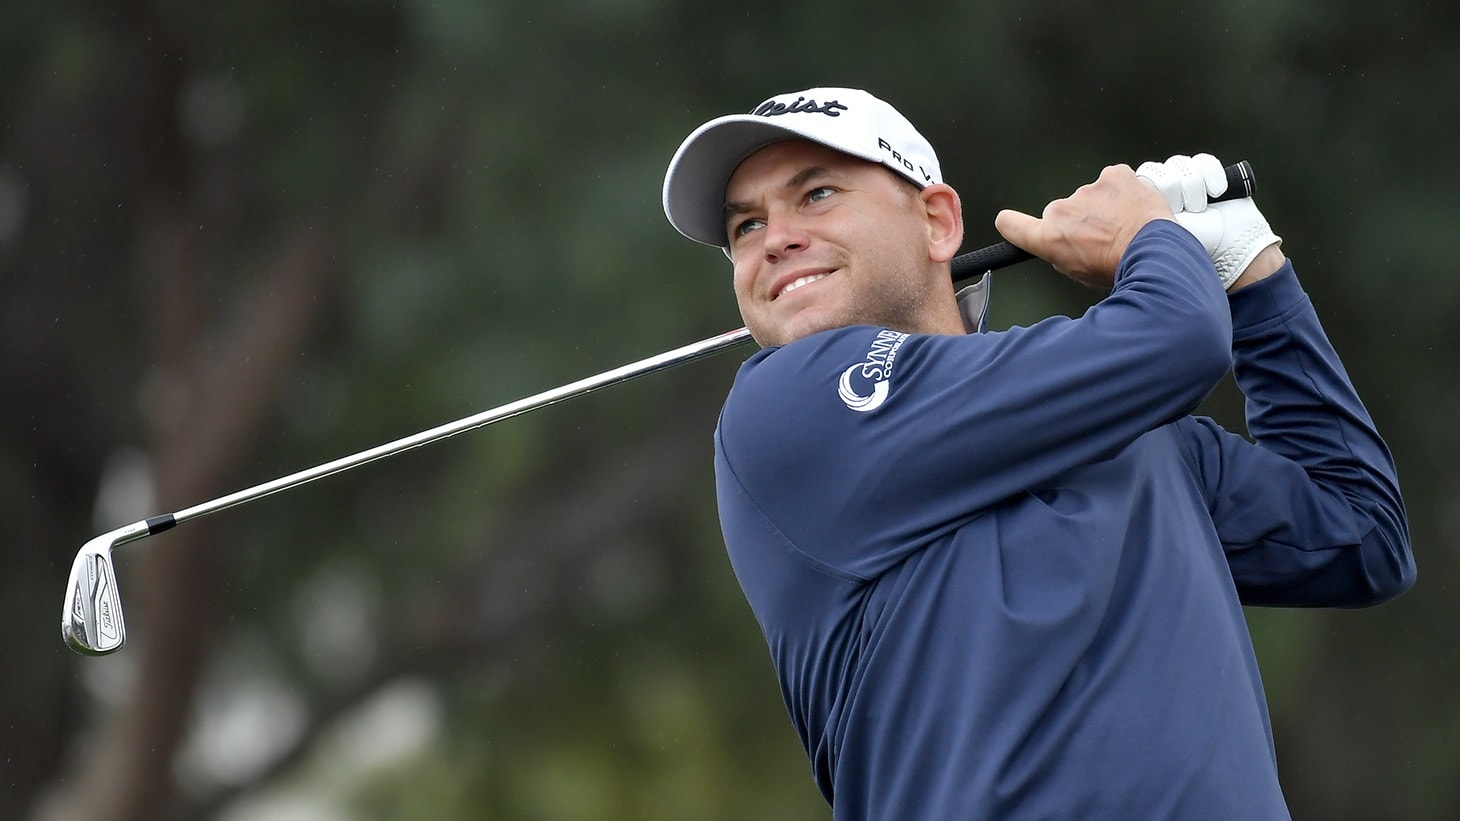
91,616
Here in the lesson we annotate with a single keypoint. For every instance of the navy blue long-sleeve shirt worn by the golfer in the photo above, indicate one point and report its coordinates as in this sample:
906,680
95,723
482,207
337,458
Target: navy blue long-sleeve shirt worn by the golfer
1001,576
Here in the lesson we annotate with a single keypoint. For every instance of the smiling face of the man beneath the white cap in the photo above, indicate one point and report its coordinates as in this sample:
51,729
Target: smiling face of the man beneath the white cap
824,240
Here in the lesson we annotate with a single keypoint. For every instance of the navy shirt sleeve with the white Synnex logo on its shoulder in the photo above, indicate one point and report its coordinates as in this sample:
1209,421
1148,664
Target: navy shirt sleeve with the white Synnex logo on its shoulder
967,421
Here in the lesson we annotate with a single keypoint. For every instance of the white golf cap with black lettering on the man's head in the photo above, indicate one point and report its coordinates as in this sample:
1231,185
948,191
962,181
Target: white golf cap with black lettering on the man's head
849,121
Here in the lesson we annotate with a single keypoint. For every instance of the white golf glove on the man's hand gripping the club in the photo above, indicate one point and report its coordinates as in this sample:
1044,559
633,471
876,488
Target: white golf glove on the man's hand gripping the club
1233,233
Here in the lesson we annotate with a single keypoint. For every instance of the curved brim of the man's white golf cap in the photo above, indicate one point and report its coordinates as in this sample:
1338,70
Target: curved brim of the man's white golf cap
696,183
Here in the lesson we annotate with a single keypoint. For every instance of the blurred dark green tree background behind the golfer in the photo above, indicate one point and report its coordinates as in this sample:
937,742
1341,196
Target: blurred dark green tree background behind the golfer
240,240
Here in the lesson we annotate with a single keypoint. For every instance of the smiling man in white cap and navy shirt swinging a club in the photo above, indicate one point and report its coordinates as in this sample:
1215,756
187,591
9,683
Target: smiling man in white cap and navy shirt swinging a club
1001,575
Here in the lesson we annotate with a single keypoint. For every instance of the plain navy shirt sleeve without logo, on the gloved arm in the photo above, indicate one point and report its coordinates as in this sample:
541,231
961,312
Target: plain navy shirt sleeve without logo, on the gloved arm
1310,511
